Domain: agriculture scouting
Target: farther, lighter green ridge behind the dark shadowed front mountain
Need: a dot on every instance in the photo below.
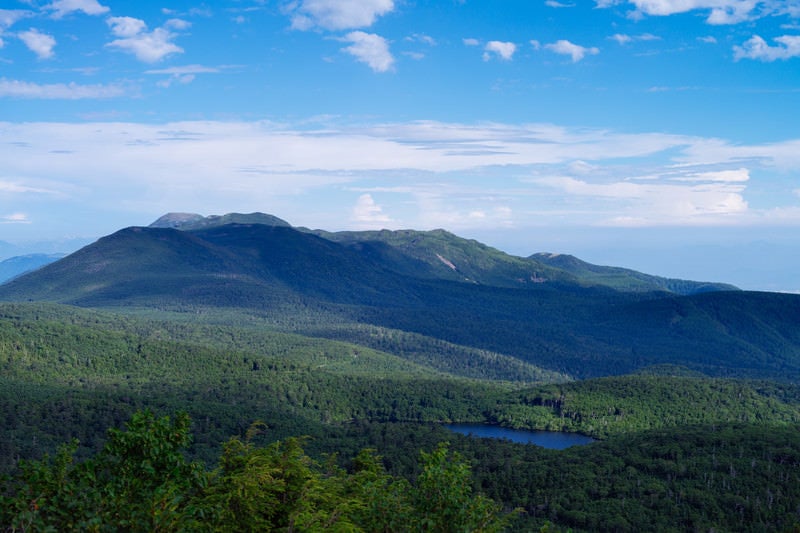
(440, 254)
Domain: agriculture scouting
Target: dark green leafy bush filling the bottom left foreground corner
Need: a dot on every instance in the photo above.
(140, 481)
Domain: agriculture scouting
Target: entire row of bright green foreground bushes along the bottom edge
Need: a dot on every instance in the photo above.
(140, 481)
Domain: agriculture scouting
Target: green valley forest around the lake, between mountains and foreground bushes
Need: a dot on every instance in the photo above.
(677, 451)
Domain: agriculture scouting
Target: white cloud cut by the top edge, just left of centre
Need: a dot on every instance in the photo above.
(337, 14)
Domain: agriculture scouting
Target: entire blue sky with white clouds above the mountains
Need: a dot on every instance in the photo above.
(651, 134)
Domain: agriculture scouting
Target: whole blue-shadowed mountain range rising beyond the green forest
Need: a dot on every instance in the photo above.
(556, 312)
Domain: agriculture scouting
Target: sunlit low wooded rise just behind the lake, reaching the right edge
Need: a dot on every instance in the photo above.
(608, 406)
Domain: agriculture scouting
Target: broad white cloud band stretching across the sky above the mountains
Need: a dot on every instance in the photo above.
(442, 174)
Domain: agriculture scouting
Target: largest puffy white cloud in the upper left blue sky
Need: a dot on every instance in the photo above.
(148, 47)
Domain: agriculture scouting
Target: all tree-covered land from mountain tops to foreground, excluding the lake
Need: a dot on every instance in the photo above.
(264, 377)
